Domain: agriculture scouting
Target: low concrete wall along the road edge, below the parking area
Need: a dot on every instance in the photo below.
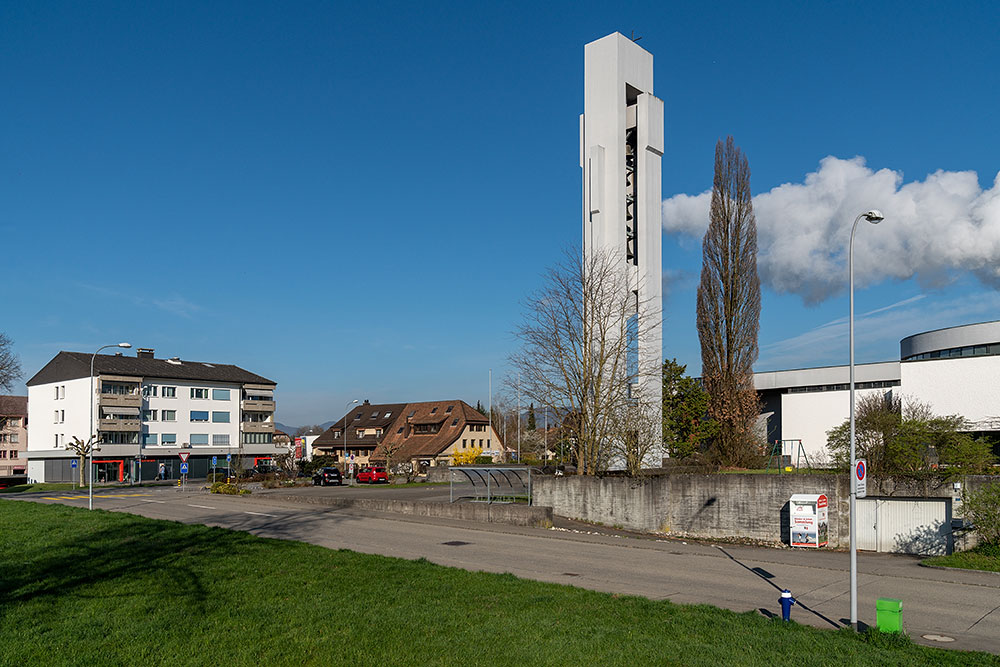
(512, 514)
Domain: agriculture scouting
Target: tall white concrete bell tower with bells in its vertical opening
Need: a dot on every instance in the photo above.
(621, 142)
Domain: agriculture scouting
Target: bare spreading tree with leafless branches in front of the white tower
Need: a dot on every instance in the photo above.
(578, 358)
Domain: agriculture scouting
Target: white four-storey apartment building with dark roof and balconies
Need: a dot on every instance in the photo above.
(144, 412)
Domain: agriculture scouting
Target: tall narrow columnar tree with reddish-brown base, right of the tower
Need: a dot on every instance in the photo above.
(729, 308)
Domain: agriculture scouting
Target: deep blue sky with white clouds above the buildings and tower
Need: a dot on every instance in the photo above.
(354, 199)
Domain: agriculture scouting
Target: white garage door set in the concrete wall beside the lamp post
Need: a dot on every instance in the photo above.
(905, 525)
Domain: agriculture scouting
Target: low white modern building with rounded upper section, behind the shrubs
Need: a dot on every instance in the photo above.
(955, 371)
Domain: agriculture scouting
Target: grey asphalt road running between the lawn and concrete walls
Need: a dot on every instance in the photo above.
(960, 606)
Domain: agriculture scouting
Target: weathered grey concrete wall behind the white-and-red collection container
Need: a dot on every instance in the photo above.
(722, 506)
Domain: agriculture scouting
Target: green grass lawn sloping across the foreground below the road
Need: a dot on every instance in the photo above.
(96, 588)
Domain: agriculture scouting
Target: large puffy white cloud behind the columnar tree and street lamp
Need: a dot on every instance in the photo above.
(933, 229)
